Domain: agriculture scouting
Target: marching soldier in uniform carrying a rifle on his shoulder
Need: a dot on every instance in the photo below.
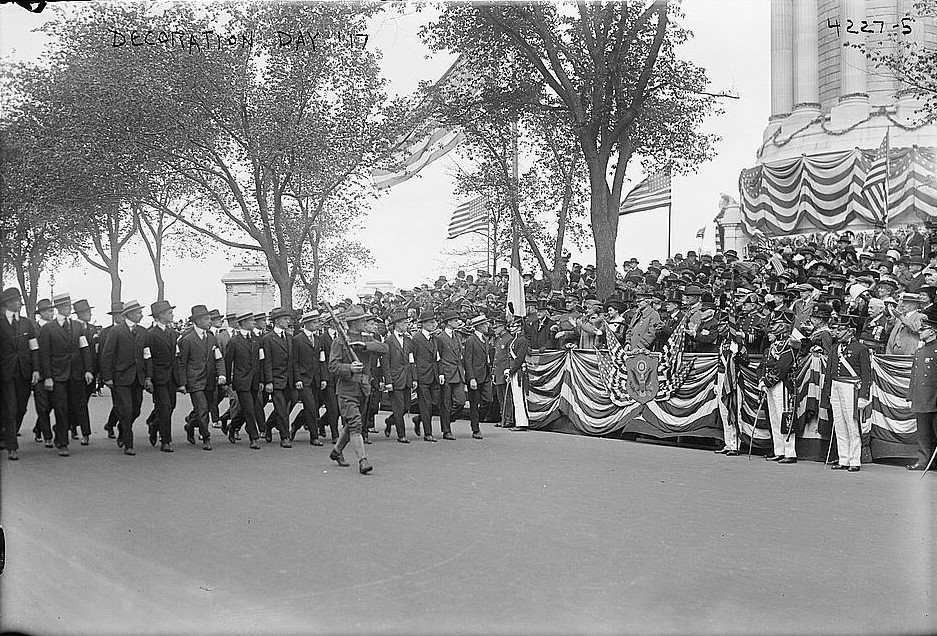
(354, 381)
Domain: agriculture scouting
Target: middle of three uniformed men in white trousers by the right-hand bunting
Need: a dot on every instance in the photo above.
(776, 380)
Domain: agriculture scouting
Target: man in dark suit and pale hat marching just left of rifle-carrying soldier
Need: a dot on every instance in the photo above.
(307, 376)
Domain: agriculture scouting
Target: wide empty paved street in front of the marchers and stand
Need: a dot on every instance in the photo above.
(519, 533)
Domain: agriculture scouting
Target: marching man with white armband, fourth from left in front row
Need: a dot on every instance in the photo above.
(162, 373)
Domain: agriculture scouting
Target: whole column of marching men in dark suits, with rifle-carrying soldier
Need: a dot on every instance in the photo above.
(61, 358)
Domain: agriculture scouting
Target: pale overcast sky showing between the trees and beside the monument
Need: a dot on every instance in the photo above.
(406, 230)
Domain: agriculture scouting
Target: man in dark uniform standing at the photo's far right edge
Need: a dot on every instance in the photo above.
(922, 390)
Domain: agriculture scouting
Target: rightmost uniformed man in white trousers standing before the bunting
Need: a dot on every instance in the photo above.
(851, 370)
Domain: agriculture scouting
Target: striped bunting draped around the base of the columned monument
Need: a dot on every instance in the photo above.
(825, 192)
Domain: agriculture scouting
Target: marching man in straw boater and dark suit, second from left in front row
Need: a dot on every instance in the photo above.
(66, 368)
